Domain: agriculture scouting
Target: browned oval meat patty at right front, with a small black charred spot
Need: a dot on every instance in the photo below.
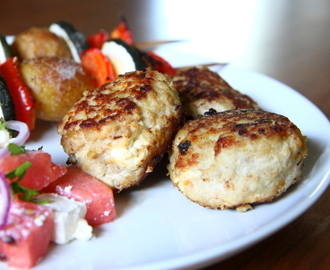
(236, 158)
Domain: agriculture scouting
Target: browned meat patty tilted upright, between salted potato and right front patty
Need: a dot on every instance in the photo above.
(119, 131)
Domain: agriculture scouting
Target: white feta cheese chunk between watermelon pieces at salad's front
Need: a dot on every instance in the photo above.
(68, 218)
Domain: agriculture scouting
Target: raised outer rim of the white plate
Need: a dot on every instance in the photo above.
(216, 254)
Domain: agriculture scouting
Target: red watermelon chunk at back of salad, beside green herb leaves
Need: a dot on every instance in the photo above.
(42, 171)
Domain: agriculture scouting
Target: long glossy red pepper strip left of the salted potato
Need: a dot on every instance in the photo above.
(23, 100)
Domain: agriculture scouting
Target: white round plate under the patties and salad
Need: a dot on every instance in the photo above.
(158, 228)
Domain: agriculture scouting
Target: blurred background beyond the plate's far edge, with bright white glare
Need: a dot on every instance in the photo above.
(287, 40)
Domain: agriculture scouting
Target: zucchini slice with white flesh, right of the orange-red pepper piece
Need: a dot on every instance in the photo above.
(124, 57)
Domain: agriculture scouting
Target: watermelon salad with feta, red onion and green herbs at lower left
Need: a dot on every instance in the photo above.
(41, 202)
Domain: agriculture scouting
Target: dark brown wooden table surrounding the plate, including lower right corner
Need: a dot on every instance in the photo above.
(286, 40)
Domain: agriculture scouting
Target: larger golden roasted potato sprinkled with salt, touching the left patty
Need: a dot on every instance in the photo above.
(56, 84)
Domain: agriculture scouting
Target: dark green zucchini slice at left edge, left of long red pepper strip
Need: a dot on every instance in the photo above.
(7, 111)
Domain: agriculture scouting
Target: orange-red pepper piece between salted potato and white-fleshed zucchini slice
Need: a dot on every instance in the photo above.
(98, 65)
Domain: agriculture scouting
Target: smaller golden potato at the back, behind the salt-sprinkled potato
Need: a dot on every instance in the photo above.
(39, 42)
